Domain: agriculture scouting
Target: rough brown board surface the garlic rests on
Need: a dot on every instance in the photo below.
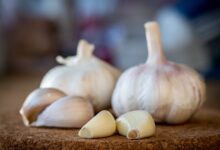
(201, 132)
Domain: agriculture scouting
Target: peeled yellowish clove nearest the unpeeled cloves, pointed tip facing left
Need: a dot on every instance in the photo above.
(102, 125)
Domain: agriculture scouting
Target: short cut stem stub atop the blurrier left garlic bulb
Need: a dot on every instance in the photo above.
(84, 49)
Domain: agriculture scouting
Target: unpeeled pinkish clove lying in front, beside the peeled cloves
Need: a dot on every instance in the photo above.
(67, 112)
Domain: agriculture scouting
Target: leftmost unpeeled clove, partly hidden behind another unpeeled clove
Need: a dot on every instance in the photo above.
(37, 101)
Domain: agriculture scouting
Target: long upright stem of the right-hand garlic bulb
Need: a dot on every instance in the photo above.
(155, 51)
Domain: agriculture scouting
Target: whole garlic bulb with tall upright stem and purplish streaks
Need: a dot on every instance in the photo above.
(170, 92)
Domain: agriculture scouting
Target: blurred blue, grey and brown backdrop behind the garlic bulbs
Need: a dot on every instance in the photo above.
(34, 32)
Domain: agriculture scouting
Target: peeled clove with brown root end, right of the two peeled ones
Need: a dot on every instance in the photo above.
(136, 124)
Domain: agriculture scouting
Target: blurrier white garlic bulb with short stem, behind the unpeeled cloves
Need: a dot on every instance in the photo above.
(84, 75)
